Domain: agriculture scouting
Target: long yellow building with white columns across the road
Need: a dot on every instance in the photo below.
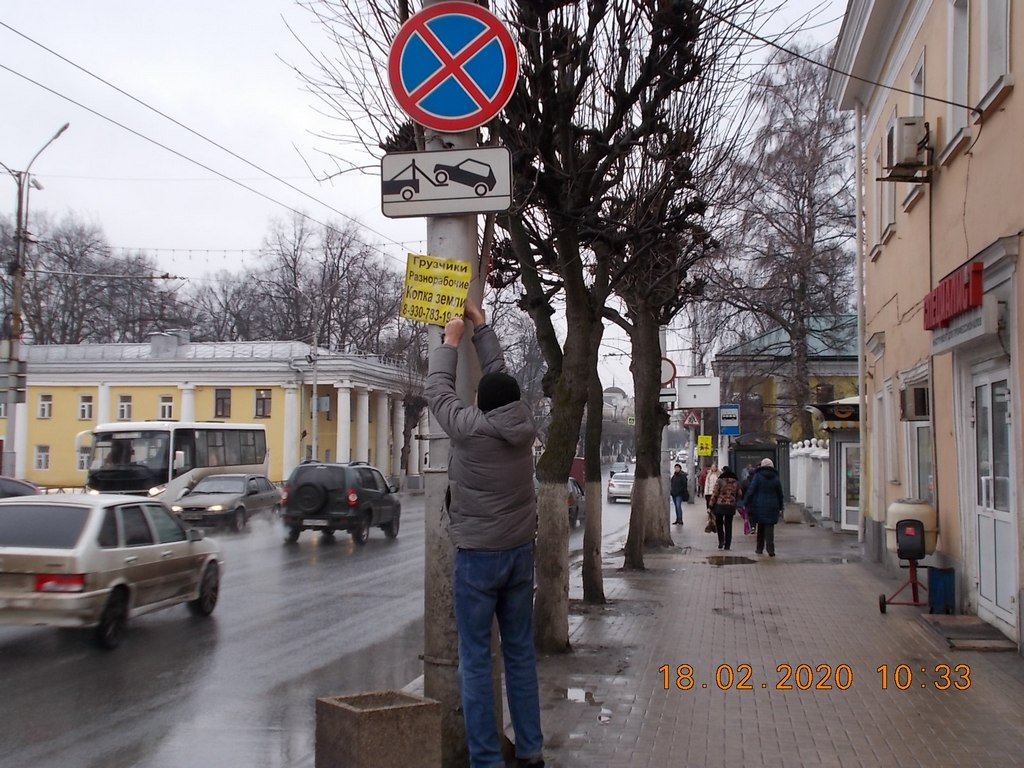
(361, 414)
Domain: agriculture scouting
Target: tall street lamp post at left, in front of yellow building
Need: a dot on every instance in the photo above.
(16, 371)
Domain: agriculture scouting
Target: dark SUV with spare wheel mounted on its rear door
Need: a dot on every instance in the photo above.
(339, 497)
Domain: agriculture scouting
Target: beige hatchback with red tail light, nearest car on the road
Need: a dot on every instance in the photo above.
(99, 561)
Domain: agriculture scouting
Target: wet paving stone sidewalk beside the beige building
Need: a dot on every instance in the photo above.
(743, 628)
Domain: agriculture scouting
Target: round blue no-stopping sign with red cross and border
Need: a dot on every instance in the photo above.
(453, 67)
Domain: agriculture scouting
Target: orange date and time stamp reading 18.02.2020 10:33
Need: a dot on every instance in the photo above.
(821, 677)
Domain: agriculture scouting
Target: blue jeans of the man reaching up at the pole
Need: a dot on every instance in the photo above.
(490, 584)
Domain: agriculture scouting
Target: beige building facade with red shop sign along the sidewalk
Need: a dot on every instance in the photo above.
(942, 181)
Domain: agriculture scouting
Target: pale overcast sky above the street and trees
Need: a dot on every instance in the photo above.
(217, 66)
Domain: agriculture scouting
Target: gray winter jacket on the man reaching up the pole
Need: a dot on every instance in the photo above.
(491, 461)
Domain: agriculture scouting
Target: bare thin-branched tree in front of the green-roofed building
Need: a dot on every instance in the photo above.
(788, 262)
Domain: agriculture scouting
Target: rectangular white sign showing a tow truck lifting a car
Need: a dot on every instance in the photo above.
(450, 182)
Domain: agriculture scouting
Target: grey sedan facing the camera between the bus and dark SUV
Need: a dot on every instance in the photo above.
(233, 500)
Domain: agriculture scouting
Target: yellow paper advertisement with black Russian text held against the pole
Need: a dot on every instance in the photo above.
(436, 289)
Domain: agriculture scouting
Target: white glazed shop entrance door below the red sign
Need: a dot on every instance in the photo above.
(995, 490)
